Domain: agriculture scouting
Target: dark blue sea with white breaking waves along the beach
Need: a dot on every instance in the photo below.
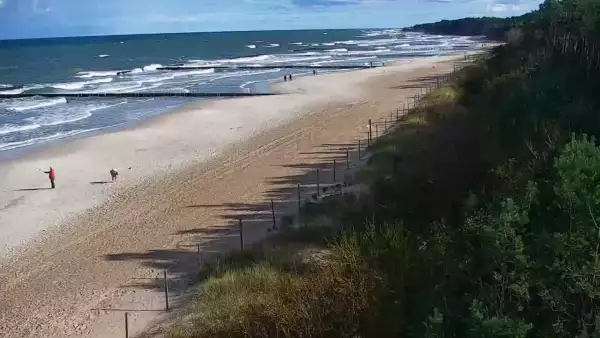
(132, 64)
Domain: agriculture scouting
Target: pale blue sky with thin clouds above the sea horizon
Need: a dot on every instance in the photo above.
(44, 18)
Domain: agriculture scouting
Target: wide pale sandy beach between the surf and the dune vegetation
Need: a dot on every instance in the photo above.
(76, 257)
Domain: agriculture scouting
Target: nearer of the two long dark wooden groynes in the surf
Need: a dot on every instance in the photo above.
(131, 95)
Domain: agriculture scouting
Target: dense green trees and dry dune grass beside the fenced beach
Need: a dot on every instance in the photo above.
(483, 217)
